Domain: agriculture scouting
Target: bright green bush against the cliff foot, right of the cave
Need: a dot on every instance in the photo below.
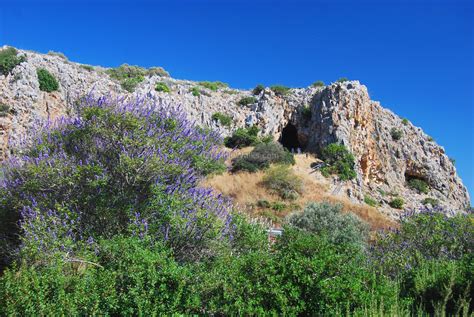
(339, 161)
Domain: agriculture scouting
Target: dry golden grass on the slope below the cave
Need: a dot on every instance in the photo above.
(246, 190)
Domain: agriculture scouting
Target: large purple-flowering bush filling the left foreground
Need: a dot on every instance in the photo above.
(116, 164)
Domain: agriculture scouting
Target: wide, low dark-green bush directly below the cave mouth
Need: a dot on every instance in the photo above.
(262, 156)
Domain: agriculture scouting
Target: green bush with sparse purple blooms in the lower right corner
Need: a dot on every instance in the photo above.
(431, 254)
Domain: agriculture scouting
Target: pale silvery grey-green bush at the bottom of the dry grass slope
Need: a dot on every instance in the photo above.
(328, 220)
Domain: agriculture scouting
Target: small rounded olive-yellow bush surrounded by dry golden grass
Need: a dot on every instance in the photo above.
(281, 180)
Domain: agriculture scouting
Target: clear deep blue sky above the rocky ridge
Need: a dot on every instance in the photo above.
(416, 57)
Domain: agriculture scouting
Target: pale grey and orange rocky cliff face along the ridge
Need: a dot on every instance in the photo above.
(340, 112)
